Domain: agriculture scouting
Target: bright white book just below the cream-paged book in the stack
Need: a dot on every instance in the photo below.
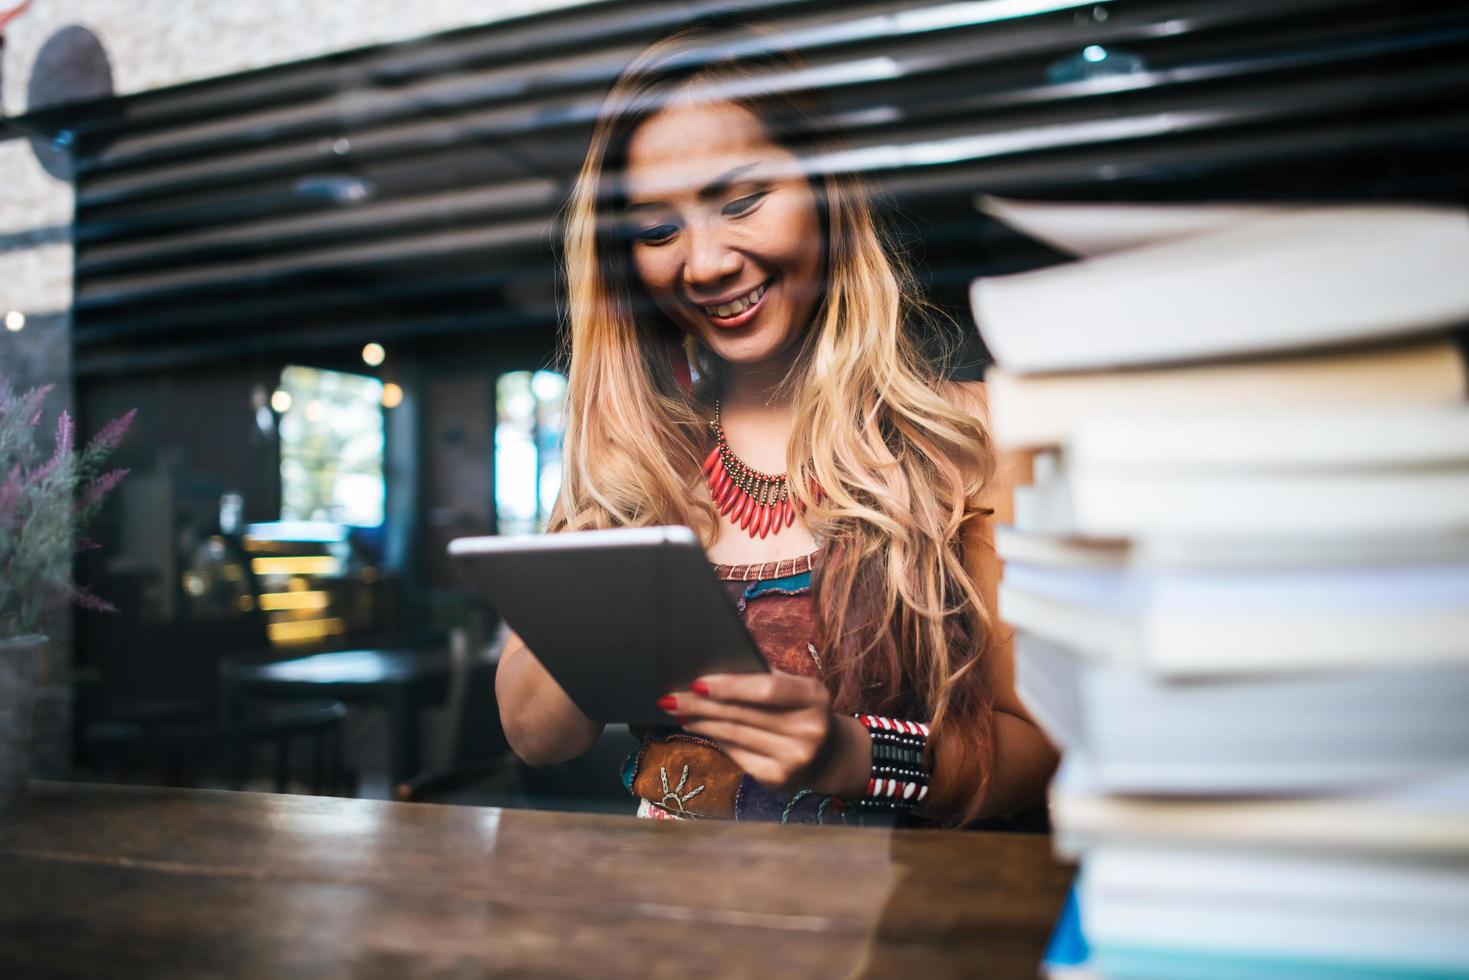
(1304, 474)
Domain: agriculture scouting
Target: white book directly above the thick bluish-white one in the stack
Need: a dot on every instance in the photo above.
(1211, 622)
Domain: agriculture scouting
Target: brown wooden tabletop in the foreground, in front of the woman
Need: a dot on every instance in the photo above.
(146, 882)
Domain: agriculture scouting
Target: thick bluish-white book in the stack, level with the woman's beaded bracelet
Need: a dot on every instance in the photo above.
(1285, 734)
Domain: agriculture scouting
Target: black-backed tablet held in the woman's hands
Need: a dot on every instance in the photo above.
(619, 618)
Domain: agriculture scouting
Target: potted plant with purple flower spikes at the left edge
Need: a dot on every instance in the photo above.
(45, 505)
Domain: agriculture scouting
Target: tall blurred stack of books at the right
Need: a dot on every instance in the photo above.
(1241, 581)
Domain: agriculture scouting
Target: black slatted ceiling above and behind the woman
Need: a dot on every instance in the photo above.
(409, 190)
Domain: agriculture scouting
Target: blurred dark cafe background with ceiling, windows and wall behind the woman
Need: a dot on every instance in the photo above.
(315, 248)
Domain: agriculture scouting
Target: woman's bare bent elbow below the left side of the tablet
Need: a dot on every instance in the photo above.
(541, 724)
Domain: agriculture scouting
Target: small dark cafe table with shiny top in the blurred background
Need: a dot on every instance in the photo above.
(403, 681)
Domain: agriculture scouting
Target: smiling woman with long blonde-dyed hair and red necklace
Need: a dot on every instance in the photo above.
(838, 483)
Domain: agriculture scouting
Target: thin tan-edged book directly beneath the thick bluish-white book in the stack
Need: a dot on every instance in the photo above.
(1426, 816)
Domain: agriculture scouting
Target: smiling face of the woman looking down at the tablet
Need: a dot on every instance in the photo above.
(725, 228)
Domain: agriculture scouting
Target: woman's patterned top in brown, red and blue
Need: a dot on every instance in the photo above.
(681, 777)
